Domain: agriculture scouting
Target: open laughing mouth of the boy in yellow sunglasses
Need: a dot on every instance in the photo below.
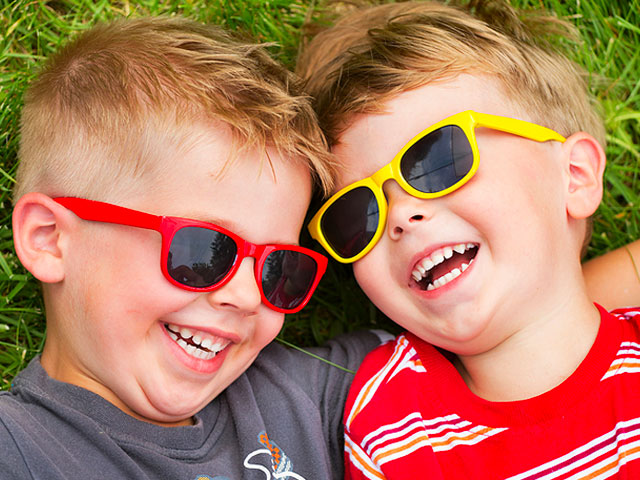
(444, 265)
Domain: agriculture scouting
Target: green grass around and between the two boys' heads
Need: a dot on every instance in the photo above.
(31, 30)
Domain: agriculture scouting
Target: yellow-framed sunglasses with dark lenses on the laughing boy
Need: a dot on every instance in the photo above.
(435, 162)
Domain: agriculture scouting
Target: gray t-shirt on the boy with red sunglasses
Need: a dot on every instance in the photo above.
(281, 419)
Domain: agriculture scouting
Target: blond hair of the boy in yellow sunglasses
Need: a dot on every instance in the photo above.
(375, 53)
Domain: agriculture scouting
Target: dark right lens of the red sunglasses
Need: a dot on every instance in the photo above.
(287, 278)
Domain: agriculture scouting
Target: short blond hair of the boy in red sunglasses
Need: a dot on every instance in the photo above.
(91, 116)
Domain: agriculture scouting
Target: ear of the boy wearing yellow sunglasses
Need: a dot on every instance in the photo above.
(585, 162)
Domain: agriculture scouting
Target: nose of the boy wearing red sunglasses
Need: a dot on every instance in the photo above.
(241, 294)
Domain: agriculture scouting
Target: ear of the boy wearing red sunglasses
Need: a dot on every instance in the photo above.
(38, 222)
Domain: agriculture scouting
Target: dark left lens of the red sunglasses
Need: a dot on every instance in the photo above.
(199, 257)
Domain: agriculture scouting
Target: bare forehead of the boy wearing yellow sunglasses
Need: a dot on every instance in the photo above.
(372, 140)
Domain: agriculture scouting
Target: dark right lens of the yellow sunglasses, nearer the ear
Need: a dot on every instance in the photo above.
(438, 160)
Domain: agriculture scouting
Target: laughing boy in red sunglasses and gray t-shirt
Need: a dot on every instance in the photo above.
(165, 171)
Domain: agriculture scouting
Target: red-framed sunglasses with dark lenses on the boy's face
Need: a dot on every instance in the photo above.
(200, 256)
